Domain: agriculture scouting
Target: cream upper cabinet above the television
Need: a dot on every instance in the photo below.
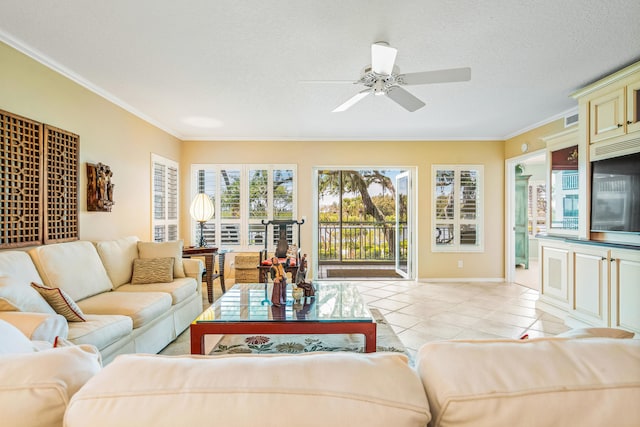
(616, 113)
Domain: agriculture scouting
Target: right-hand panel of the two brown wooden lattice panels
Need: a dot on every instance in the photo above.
(62, 179)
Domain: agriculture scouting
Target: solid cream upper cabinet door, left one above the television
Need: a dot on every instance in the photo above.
(607, 117)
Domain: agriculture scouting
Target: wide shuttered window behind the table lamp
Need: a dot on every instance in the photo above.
(244, 196)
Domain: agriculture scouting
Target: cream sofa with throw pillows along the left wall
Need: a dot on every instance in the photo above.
(119, 317)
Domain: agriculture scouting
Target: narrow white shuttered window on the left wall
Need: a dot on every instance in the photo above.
(164, 191)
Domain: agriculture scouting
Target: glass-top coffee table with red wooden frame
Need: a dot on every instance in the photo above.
(245, 309)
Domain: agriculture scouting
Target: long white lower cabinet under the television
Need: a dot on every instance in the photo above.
(590, 284)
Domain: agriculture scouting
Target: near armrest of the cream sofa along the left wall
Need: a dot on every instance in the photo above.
(38, 326)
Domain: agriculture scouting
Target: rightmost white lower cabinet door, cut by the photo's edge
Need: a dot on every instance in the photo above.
(625, 290)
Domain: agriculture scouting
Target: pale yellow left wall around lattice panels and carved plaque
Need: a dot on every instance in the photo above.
(108, 134)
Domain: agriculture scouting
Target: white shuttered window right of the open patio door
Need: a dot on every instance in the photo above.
(457, 208)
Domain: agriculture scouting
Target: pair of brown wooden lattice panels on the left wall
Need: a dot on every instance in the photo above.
(38, 183)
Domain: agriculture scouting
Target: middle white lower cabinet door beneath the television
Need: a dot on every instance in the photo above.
(590, 286)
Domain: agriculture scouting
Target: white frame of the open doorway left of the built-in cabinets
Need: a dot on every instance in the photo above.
(510, 211)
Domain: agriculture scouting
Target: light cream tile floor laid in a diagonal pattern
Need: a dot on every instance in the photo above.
(420, 312)
